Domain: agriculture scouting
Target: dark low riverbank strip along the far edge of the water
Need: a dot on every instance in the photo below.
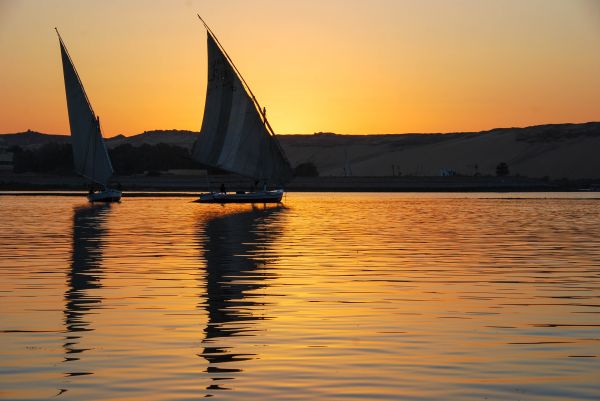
(186, 183)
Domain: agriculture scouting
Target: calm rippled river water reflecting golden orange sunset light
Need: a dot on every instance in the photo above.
(334, 296)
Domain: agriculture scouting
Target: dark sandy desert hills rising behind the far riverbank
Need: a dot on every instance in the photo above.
(555, 151)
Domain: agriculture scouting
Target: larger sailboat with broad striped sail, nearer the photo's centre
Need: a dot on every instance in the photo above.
(236, 136)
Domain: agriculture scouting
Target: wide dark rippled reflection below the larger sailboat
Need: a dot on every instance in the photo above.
(234, 246)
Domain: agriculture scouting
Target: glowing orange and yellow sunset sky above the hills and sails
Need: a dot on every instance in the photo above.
(346, 66)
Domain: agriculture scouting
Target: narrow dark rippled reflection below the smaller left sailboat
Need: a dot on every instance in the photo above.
(83, 277)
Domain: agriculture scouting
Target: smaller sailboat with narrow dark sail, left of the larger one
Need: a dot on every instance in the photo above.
(90, 155)
